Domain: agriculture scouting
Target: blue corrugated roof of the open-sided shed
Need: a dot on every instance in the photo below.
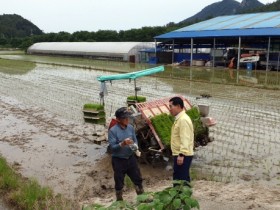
(256, 24)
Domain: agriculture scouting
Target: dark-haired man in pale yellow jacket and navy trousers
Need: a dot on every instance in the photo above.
(182, 140)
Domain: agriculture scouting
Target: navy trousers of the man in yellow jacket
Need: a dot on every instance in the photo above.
(182, 172)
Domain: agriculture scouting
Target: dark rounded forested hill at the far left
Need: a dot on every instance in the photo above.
(16, 26)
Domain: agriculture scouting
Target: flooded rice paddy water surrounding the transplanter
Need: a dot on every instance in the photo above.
(42, 129)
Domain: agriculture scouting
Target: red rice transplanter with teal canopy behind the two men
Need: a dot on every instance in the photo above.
(150, 144)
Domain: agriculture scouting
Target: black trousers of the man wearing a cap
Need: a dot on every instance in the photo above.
(128, 166)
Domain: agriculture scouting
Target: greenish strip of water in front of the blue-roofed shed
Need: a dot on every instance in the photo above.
(244, 77)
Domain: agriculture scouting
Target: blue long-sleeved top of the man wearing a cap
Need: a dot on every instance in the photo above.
(116, 135)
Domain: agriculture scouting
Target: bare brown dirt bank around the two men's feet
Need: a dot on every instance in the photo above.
(211, 195)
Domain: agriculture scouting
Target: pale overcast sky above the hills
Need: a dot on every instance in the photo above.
(93, 15)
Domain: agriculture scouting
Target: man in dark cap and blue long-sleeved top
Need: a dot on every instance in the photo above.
(124, 161)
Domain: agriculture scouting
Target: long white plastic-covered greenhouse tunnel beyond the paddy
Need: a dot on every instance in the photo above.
(135, 52)
